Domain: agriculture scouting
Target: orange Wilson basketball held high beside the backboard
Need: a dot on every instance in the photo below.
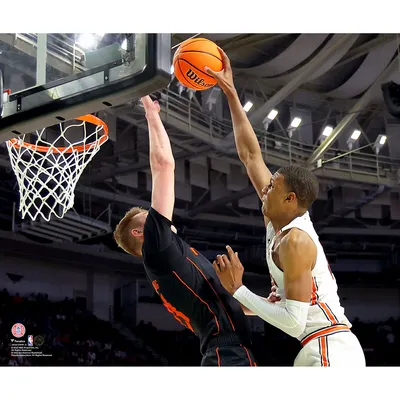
(190, 59)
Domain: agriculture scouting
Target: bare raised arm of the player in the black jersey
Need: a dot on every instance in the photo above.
(162, 163)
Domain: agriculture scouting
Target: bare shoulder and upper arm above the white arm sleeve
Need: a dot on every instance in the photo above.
(297, 255)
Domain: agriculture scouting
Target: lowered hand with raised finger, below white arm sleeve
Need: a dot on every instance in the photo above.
(229, 270)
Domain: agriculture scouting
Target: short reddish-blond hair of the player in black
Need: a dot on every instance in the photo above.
(122, 234)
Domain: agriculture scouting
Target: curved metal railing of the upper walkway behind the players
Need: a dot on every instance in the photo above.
(277, 144)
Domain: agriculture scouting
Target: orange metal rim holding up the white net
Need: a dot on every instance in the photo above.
(44, 149)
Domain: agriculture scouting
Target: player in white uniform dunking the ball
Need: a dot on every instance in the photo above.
(308, 305)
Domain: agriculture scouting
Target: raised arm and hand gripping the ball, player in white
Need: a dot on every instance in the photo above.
(246, 140)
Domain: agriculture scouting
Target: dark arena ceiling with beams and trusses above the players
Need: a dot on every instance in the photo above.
(326, 79)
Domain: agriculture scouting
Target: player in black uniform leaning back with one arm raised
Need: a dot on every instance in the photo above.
(182, 277)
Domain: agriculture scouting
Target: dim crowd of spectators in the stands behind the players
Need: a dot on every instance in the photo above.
(73, 336)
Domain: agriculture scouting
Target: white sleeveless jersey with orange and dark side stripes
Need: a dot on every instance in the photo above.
(325, 309)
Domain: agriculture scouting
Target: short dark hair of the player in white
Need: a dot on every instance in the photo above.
(302, 182)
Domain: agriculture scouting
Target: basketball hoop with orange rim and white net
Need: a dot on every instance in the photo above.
(46, 173)
